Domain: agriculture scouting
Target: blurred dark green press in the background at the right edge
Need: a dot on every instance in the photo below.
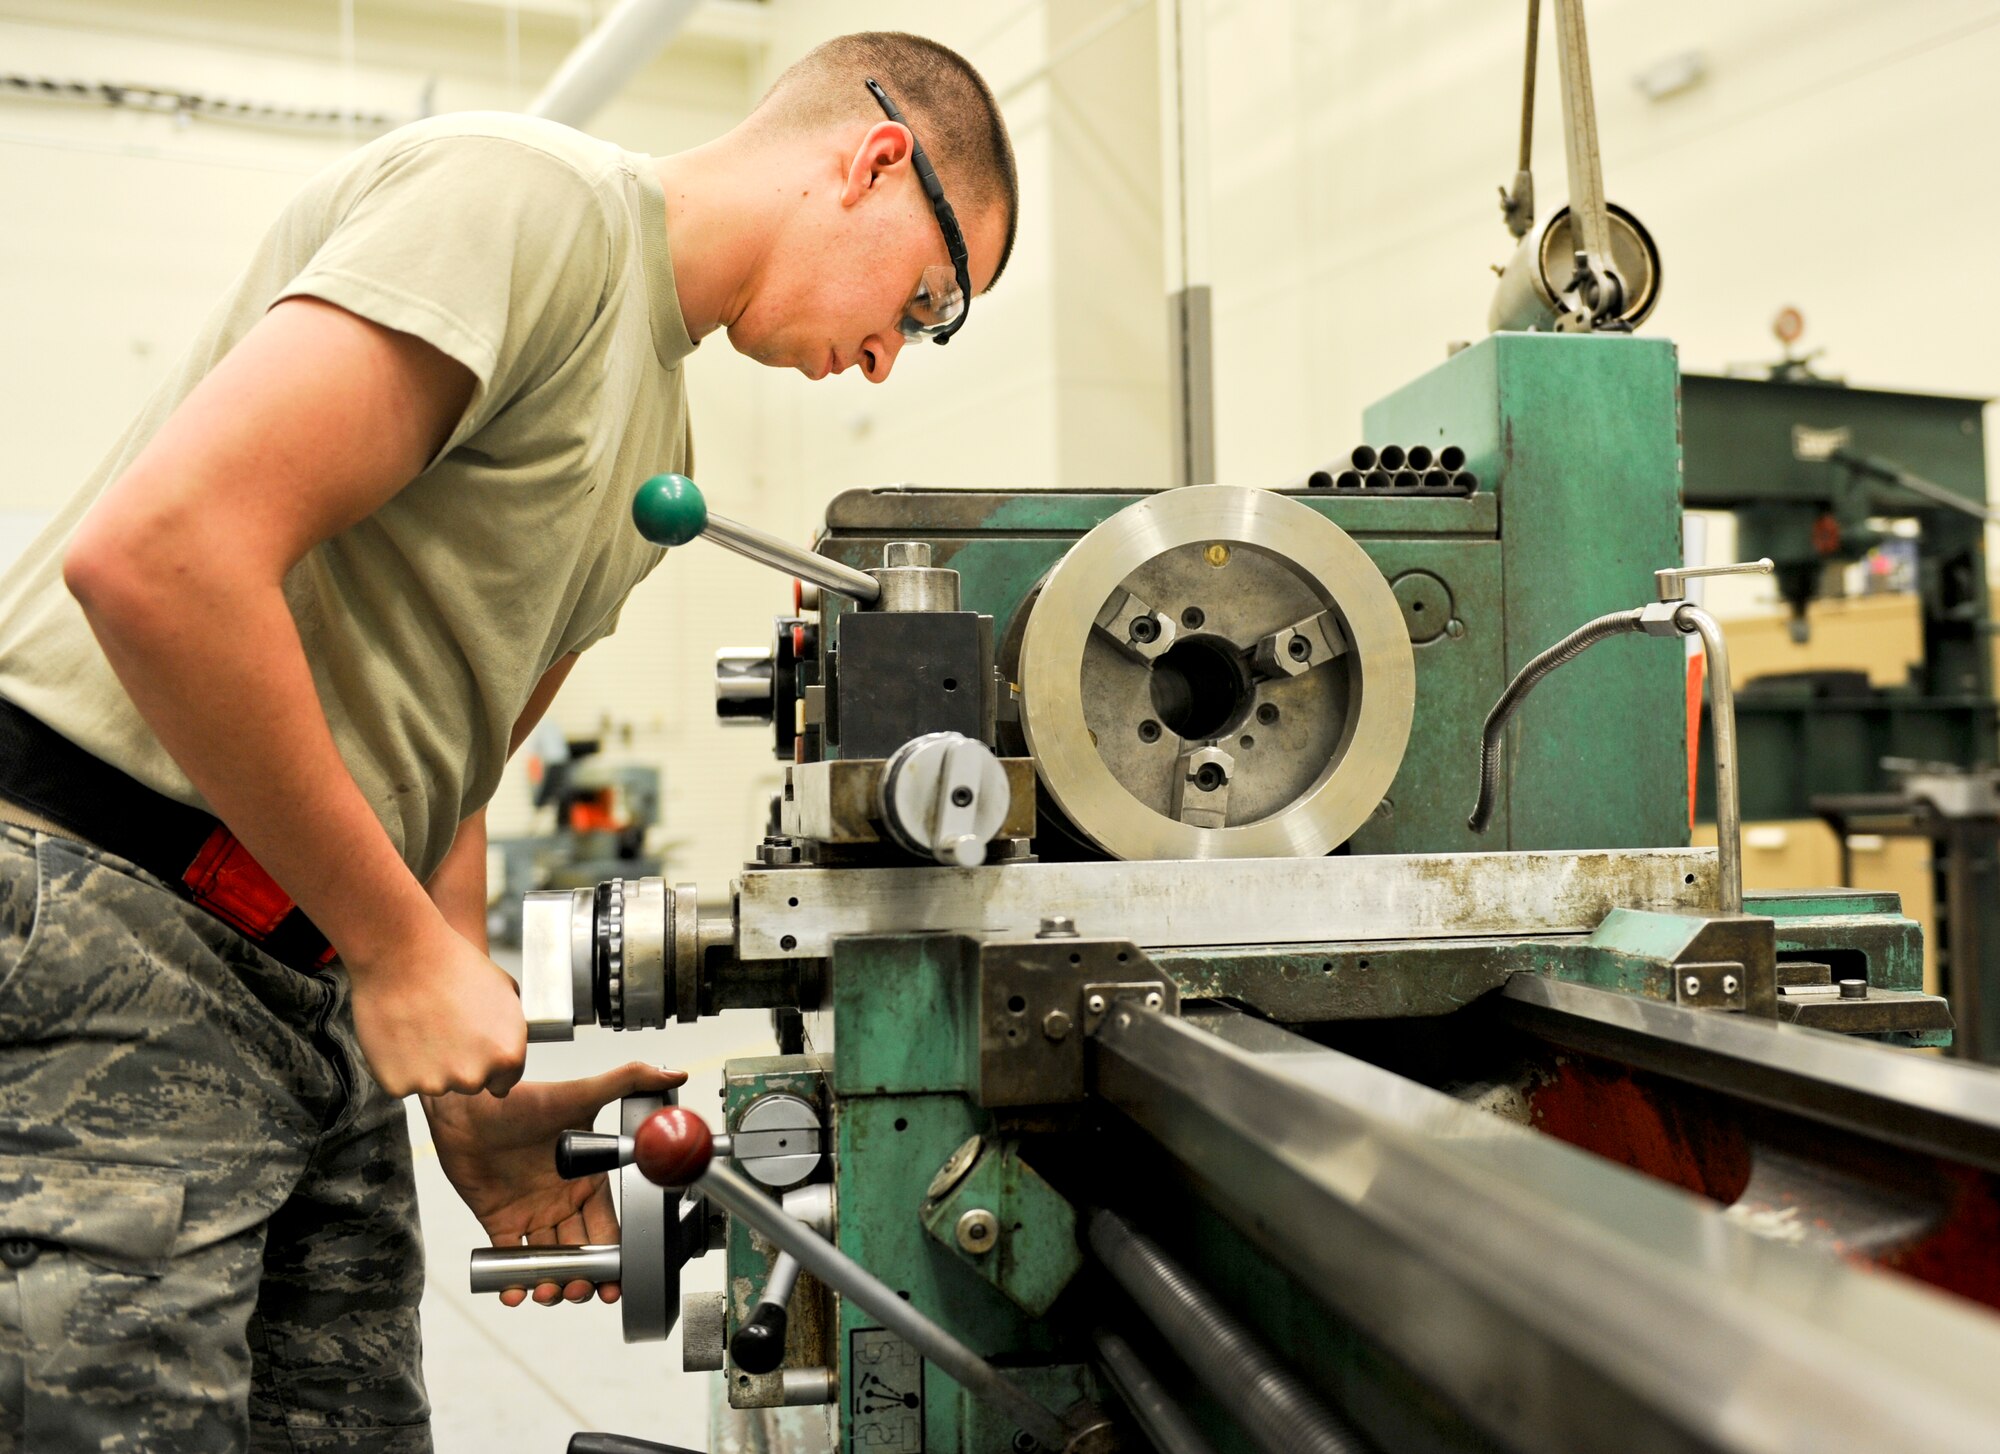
(1813, 473)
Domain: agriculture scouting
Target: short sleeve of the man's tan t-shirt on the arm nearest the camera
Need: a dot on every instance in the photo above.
(491, 251)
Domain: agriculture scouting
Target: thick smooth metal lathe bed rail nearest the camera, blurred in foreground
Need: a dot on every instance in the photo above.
(1617, 1313)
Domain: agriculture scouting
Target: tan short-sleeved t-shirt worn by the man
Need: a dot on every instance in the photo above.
(537, 259)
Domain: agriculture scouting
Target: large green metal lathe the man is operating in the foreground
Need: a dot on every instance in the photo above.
(1165, 1059)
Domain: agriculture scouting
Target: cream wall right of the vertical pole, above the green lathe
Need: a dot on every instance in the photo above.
(1841, 157)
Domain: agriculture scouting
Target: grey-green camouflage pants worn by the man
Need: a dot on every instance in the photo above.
(207, 1205)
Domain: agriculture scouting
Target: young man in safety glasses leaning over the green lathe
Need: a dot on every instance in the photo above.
(261, 677)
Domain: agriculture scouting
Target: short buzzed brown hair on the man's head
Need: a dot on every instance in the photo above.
(949, 105)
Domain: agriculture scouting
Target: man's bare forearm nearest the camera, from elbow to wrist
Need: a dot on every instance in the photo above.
(245, 723)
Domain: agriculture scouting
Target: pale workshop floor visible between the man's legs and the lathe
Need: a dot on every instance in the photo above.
(521, 1381)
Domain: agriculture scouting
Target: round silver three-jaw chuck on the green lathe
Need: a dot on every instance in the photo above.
(1217, 673)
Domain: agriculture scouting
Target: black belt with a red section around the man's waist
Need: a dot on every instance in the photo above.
(55, 779)
